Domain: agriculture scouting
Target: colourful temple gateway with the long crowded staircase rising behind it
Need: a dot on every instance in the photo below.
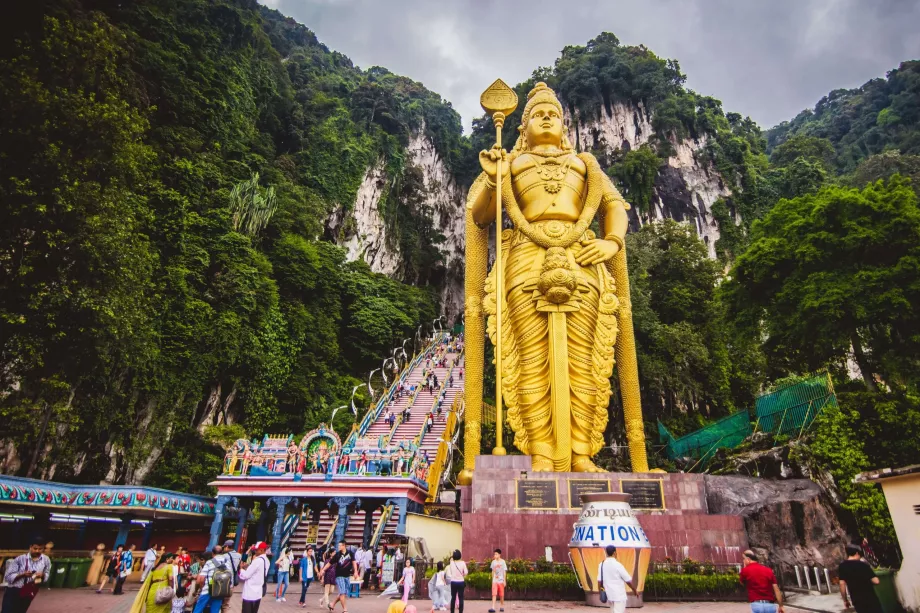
(319, 488)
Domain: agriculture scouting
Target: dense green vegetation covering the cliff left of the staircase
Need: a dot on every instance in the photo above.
(168, 167)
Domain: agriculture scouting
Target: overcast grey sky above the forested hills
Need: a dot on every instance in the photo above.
(765, 58)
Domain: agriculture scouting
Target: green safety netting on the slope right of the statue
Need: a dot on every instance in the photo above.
(785, 411)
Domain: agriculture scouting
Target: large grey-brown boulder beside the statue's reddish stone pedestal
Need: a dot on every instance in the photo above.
(788, 522)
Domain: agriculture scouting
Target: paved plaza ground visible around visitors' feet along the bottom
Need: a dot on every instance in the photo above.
(87, 601)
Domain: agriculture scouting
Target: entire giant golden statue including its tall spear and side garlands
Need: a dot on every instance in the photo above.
(564, 294)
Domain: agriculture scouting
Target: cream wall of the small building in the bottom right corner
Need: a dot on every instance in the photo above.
(903, 495)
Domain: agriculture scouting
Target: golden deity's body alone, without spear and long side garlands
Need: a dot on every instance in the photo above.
(559, 309)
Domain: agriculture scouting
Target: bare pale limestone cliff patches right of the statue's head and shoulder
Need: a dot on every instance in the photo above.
(686, 187)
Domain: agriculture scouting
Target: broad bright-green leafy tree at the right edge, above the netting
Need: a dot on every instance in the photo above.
(835, 273)
